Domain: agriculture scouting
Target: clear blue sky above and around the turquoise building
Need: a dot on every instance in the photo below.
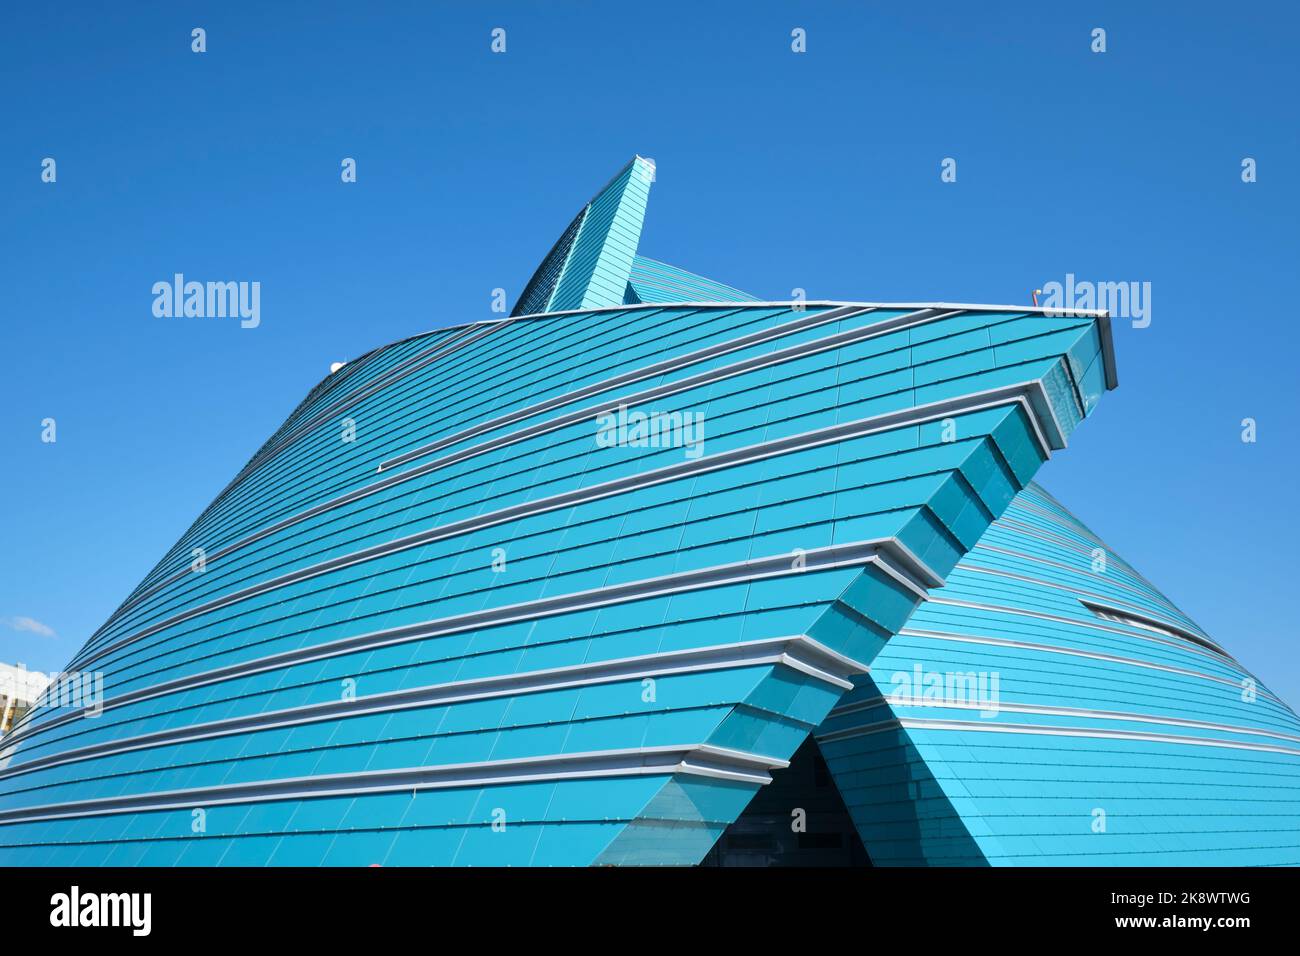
(775, 171)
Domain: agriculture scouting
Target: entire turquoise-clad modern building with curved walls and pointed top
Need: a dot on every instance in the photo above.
(652, 572)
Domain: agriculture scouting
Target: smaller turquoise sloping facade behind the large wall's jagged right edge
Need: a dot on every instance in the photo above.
(1129, 739)
